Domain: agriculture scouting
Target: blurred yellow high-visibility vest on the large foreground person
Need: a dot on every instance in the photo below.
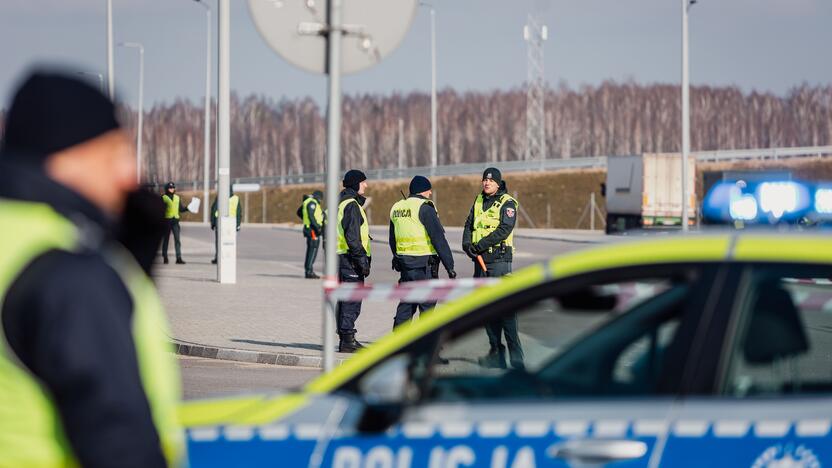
(31, 433)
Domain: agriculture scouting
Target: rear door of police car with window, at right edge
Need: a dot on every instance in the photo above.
(765, 394)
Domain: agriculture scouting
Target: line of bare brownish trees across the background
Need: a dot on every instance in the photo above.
(288, 136)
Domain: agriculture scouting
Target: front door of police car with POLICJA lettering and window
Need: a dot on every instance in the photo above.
(603, 353)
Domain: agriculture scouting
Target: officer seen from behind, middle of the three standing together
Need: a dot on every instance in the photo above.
(417, 240)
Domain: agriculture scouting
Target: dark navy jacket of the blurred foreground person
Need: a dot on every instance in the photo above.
(67, 317)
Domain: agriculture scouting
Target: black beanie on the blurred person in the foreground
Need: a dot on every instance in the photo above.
(51, 112)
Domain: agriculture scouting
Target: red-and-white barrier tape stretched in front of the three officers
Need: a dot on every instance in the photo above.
(415, 291)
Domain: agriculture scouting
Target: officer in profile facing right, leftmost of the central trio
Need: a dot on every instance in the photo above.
(353, 253)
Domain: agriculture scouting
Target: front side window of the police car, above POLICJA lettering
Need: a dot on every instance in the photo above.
(607, 338)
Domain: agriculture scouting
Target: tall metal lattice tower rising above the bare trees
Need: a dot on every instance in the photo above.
(535, 35)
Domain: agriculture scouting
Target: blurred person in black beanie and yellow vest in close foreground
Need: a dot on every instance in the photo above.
(87, 376)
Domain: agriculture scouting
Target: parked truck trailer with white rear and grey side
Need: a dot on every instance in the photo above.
(646, 191)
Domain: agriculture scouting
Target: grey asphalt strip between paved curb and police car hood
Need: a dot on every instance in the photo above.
(205, 378)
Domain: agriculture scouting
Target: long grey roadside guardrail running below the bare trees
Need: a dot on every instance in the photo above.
(518, 166)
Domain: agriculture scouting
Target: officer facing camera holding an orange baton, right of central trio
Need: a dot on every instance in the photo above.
(489, 235)
